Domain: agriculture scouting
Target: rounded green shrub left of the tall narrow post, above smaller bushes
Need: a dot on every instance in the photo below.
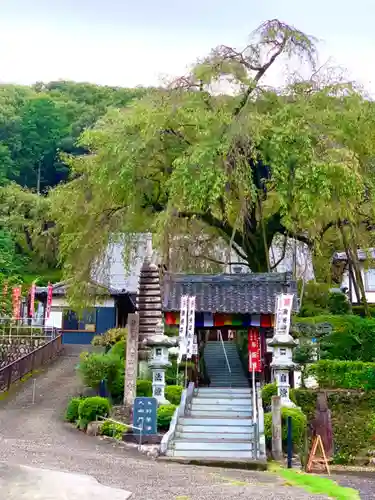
(95, 367)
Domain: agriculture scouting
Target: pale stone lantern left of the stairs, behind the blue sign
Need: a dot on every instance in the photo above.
(159, 361)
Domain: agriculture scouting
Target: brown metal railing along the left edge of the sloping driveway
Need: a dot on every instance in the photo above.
(16, 370)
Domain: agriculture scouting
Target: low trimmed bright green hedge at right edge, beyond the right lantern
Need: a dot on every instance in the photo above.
(344, 374)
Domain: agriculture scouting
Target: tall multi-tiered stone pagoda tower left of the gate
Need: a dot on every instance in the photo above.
(149, 308)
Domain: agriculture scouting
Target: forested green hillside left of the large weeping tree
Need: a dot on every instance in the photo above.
(38, 125)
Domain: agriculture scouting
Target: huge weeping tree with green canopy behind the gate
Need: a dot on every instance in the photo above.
(240, 167)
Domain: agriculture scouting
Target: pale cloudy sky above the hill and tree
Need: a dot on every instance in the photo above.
(129, 43)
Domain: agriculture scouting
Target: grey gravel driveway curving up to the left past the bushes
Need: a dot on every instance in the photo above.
(34, 434)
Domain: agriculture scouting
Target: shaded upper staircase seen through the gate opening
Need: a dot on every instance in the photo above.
(217, 367)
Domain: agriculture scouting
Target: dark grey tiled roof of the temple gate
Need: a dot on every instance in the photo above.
(229, 293)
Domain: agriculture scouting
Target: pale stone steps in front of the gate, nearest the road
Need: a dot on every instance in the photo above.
(218, 425)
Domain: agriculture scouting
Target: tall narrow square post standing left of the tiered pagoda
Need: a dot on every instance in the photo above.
(131, 363)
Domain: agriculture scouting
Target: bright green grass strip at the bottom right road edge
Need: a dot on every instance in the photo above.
(316, 484)
